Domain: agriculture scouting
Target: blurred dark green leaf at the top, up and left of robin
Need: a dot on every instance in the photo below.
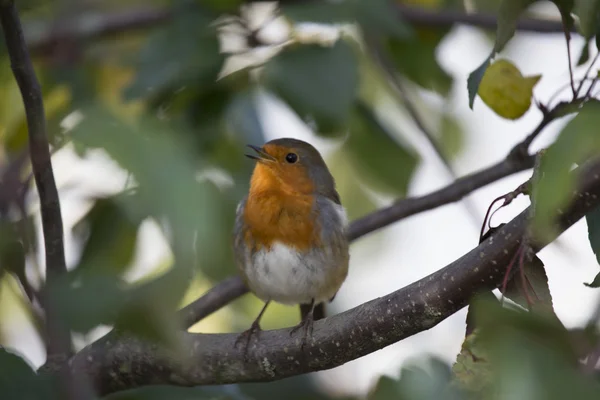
(184, 53)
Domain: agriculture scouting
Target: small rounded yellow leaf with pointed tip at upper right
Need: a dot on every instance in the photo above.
(506, 91)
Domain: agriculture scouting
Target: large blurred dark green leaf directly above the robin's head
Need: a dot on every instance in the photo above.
(318, 82)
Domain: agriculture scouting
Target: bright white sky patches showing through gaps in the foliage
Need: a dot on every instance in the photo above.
(414, 247)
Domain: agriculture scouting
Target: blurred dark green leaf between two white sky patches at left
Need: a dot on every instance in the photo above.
(112, 236)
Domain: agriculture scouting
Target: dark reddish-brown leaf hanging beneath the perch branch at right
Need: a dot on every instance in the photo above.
(536, 284)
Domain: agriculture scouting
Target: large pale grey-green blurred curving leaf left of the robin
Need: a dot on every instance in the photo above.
(165, 172)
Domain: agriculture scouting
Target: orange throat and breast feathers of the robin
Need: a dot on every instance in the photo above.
(280, 211)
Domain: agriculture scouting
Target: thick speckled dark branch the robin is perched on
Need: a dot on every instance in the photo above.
(116, 363)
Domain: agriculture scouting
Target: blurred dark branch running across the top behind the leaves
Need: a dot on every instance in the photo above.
(43, 35)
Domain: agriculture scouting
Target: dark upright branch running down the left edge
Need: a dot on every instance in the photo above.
(59, 341)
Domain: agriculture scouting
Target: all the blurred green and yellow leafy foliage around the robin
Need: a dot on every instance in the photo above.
(157, 101)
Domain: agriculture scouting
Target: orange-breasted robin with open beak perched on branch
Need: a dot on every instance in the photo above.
(290, 239)
